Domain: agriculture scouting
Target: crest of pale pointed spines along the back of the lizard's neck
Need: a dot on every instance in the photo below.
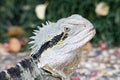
(39, 35)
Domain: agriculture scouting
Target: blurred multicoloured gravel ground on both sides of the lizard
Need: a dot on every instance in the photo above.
(94, 65)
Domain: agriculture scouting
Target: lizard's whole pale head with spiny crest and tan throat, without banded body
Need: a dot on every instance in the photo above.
(59, 50)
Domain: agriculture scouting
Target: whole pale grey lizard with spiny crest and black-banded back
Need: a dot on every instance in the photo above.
(56, 50)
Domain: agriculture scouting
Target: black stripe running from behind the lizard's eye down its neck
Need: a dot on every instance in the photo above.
(49, 44)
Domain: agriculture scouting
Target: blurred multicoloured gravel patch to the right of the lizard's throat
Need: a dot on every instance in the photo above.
(99, 65)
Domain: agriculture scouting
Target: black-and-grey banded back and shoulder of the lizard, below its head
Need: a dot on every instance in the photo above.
(26, 70)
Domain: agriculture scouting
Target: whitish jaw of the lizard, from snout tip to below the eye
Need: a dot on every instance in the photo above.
(77, 41)
